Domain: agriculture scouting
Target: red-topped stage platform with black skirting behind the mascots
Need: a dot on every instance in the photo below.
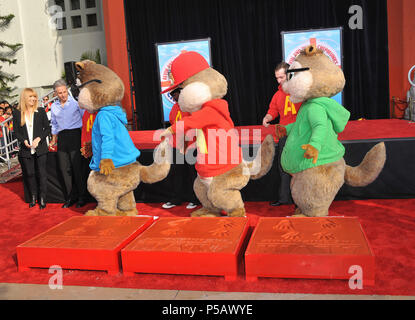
(395, 181)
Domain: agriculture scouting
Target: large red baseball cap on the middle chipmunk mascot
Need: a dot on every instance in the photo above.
(187, 64)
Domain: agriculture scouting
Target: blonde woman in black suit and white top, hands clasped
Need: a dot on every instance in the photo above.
(31, 127)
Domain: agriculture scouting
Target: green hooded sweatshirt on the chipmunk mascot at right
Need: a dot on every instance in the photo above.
(318, 123)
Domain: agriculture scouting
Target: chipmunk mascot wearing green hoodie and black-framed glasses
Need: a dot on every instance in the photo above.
(313, 155)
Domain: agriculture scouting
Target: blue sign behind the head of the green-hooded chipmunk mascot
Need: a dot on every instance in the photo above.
(328, 40)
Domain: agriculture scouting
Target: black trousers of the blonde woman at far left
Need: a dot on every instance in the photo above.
(34, 170)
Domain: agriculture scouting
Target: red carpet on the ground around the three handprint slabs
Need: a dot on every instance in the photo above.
(389, 226)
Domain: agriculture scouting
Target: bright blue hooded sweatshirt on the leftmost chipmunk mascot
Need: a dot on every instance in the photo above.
(111, 140)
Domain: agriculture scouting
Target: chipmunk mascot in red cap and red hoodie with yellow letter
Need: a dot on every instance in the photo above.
(222, 172)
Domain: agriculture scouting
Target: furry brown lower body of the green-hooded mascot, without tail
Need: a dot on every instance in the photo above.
(314, 189)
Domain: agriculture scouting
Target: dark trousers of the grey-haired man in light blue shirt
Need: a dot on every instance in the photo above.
(71, 164)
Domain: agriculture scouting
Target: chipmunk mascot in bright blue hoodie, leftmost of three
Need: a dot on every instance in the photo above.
(115, 171)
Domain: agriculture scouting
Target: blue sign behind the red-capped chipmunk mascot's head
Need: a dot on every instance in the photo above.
(166, 53)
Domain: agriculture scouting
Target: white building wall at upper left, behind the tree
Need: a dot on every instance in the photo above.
(41, 60)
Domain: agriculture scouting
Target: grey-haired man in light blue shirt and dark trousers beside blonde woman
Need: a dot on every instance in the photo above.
(66, 121)
